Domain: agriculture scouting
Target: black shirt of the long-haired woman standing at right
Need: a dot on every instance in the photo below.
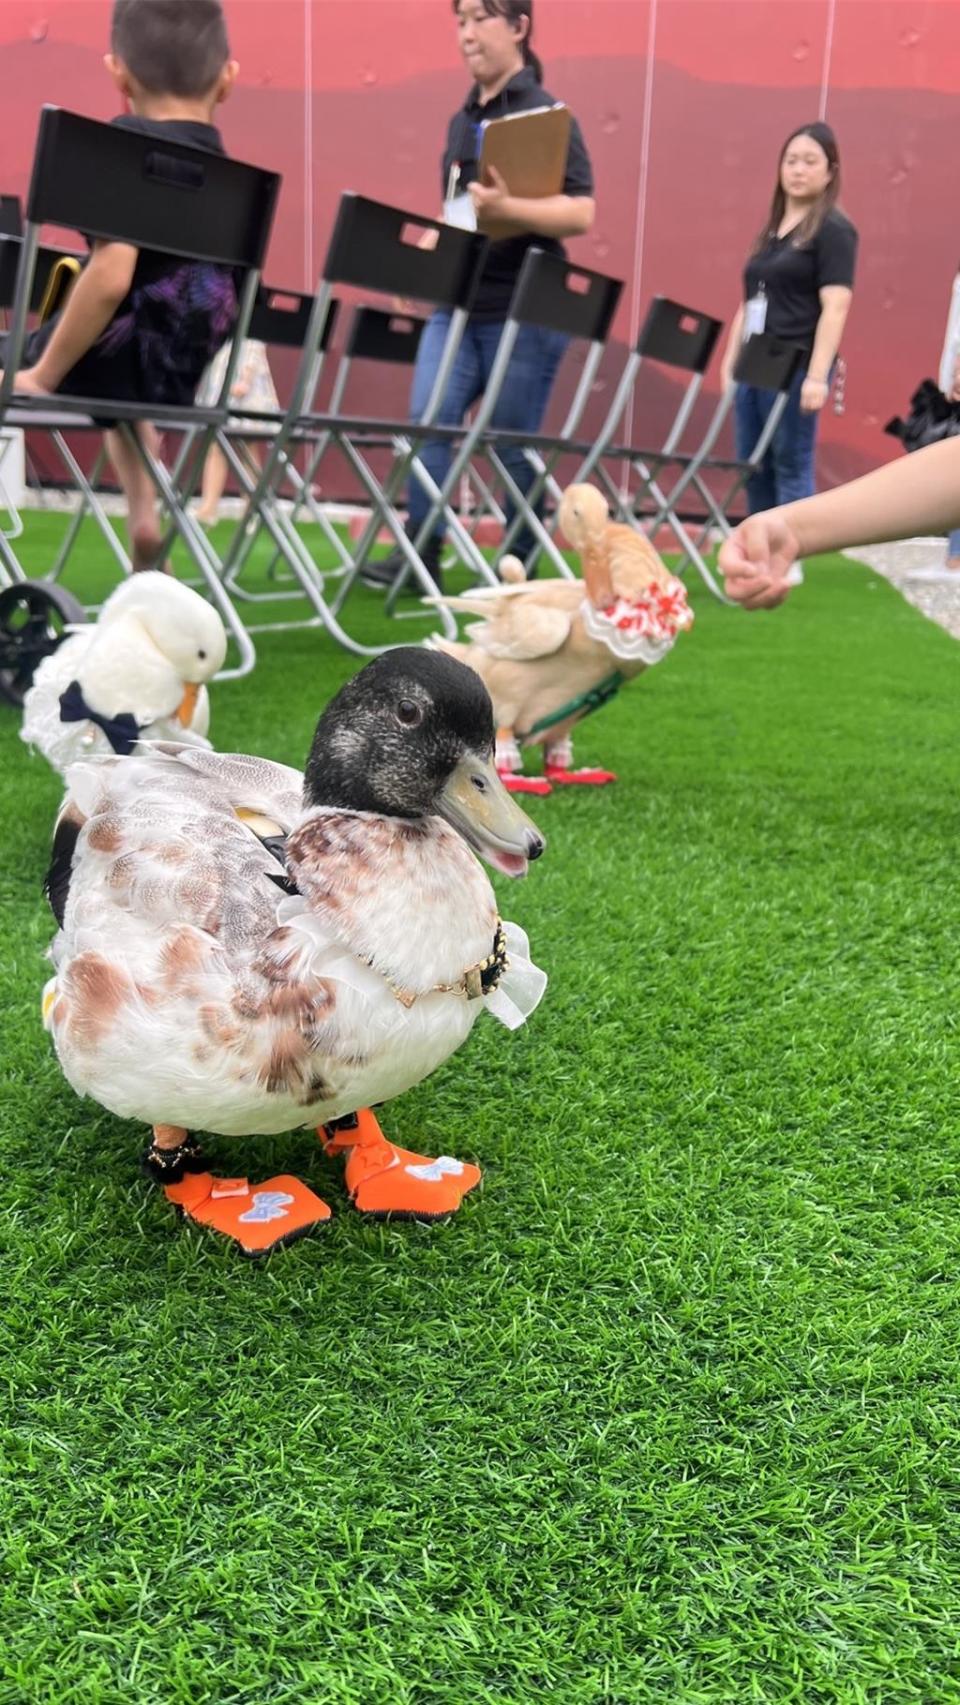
(794, 277)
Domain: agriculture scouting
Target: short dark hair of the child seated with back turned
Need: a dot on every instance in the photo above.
(171, 47)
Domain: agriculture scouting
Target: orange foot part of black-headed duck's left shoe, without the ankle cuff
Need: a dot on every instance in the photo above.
(257, 1217)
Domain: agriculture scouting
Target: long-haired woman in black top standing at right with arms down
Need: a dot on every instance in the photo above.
(799, 286)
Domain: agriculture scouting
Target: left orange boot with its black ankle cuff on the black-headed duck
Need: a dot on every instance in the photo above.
(258, 1218)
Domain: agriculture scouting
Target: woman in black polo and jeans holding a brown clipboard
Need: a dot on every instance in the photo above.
(495, 43)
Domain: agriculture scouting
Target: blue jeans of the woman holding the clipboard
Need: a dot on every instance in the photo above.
(519, 408)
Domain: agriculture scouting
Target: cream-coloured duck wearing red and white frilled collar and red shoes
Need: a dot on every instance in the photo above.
(553, 650)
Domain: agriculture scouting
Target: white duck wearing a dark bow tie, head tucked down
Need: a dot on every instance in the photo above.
(136, 674)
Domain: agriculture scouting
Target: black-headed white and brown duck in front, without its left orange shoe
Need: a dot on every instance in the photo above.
(194, 993)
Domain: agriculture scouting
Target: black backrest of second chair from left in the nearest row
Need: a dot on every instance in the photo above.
(376, 248)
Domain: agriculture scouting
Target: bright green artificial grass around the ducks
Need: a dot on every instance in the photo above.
(669, 1411)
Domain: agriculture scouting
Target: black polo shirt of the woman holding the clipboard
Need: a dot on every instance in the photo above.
(506, 260)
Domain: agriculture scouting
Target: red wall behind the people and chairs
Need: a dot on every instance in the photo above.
(685, 105)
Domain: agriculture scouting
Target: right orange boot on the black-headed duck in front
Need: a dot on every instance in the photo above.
(386, 1181)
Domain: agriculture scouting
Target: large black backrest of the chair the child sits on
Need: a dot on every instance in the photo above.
(124, 187)
